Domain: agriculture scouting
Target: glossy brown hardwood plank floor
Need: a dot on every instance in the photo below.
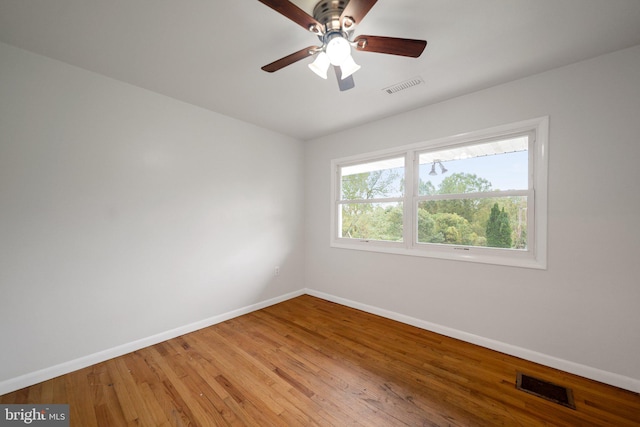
(308, 362)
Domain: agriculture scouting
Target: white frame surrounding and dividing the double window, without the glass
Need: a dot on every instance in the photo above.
(535, 256)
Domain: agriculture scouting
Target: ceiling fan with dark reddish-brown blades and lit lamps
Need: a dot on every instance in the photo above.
(333, 21)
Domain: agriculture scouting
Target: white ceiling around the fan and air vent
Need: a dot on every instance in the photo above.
(209, 52)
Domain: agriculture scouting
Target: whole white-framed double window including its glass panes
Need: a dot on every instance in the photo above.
(477, 197)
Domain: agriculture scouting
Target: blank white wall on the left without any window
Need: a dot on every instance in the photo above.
(125, 214)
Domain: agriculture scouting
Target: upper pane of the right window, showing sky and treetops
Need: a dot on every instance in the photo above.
(495, 165)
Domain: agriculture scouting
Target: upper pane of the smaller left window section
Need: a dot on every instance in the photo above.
(373, 180)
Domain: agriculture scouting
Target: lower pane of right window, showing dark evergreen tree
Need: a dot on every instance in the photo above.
(499, 222)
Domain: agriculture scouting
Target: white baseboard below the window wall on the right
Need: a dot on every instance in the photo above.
(595, 374)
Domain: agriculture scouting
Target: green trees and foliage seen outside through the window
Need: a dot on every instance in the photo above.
(470, 222)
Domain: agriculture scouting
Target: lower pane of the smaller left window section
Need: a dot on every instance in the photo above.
(372, 221)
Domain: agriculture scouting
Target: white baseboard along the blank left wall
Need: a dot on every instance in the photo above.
(36, 377)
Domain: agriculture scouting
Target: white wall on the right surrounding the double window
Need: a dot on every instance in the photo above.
(581, 314)
